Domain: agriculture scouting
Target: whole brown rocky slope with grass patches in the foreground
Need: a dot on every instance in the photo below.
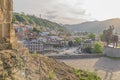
(15, 66)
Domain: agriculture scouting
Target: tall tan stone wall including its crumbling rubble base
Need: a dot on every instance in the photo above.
(7, 33)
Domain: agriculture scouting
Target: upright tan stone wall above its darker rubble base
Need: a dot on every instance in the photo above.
(6, 8)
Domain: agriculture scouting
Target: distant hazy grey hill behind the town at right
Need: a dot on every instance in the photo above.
(96, 26)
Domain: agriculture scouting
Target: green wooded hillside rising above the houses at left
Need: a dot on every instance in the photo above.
(41, 24)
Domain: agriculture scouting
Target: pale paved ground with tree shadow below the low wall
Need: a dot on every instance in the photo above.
(107, 69)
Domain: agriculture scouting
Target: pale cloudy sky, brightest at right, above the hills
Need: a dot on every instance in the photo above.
(70, 11)
